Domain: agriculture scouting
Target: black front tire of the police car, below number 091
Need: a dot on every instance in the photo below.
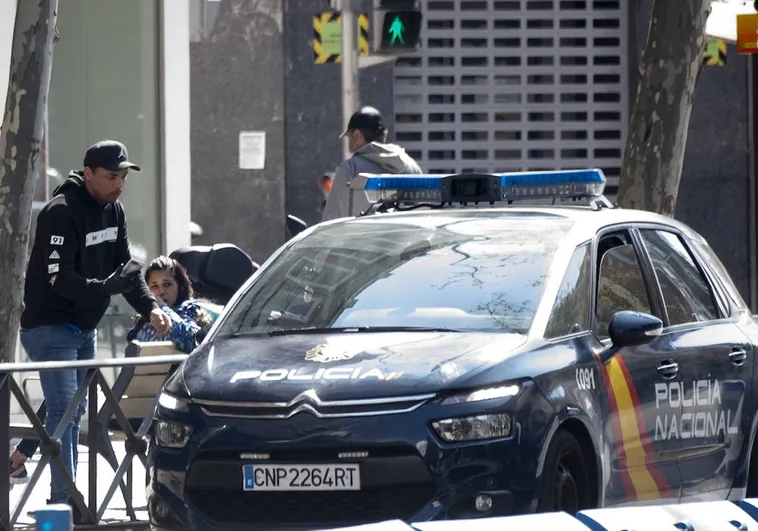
(565, 484)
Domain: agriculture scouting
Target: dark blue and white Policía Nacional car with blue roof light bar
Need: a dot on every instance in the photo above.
(455, 353)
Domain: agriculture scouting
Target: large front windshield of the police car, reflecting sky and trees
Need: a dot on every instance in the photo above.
(482, 272)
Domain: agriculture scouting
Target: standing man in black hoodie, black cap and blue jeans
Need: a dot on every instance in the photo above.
(76, 265)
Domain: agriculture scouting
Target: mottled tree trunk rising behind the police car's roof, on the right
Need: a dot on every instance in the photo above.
(670, 65)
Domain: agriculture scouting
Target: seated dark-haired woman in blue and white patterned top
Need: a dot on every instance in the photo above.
(170, 285)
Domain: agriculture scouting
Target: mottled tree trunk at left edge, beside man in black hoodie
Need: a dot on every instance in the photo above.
(20, 141)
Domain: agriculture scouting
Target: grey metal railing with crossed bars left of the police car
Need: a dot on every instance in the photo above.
(97, 439)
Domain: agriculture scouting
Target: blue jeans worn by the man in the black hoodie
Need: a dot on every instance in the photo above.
(61, 343)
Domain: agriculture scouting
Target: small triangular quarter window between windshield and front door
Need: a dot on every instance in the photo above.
(571, 310)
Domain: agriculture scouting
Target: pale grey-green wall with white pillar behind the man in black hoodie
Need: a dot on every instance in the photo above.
(120, 71)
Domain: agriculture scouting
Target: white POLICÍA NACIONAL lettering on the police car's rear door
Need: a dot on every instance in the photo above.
(693, 410)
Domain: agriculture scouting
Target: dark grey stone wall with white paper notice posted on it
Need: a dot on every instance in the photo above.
(253, 72)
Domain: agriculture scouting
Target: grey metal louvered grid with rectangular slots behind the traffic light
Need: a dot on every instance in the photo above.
(512, 85)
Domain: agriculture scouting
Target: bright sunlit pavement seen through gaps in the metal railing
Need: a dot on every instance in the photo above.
(116, 511)
